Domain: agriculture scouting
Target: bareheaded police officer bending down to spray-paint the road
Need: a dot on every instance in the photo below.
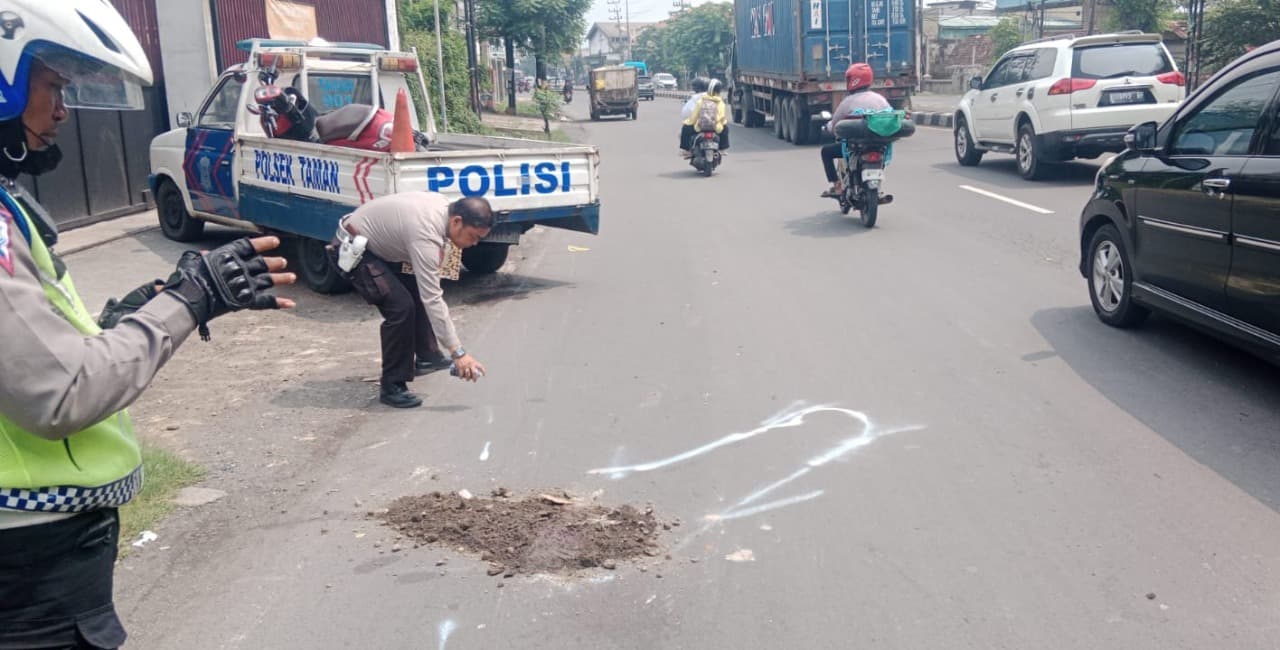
(412, 228)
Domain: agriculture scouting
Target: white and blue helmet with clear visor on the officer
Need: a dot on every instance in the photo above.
(86, 42)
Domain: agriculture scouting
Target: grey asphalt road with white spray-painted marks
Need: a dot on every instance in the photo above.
(943, 448)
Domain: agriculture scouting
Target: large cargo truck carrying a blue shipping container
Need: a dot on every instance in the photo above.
(790, 57)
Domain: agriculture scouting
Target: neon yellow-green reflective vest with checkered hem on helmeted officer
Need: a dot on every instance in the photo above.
(98, 468)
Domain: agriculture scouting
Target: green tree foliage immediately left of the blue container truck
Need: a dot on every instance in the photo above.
(693, 43)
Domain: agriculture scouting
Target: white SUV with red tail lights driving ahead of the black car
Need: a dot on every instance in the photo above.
(1059, 99)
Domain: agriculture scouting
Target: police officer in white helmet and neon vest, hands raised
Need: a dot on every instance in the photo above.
(68, 455)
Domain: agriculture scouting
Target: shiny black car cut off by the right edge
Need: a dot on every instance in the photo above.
(1187, 219)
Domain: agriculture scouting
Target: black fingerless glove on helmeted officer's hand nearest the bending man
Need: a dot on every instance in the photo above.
(228, 278)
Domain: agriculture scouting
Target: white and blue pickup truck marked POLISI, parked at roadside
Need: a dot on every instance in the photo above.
(222, 167)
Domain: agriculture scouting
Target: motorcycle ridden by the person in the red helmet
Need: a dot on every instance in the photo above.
(862, 170)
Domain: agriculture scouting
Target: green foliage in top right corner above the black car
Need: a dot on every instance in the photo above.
(1233, 28)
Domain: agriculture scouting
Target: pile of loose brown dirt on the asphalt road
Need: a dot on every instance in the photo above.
(545, 533)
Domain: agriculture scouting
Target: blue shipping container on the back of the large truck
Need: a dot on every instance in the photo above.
(817, 40)
